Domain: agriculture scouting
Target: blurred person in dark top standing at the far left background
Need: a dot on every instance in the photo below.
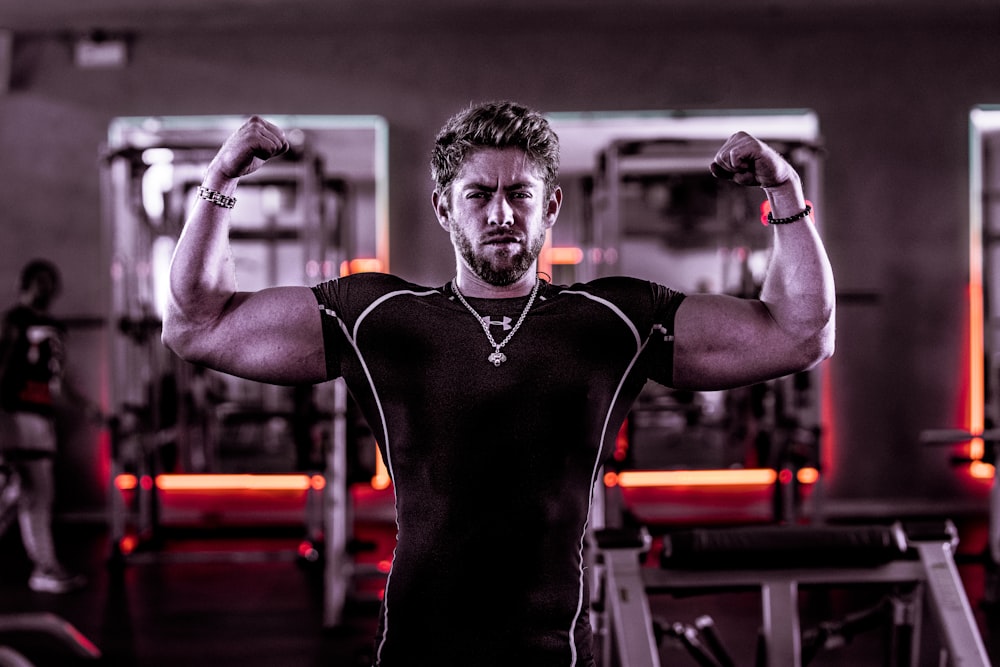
(31, 374)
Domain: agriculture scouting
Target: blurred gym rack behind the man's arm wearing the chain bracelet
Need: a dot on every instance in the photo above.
(310, 216)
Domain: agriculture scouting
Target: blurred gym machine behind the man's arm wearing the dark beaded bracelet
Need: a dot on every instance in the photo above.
(655, 211)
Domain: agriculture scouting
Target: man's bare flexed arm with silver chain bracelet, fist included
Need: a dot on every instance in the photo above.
(274, 335)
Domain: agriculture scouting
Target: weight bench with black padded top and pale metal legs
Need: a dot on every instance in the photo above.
(776, 560)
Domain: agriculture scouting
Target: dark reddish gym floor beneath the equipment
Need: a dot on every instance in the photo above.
(246, 601)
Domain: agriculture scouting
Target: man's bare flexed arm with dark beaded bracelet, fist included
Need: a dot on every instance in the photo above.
(723, 341)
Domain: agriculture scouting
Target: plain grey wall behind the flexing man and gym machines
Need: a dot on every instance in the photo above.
(892, 96)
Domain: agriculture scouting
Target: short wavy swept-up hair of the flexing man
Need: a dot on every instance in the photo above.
(502, 124)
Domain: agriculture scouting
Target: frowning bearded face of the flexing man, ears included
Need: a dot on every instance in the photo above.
(497, 214)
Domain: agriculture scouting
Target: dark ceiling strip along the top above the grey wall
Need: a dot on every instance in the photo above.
(50, 16)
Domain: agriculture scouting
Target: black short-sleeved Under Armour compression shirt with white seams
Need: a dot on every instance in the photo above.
(493, 466)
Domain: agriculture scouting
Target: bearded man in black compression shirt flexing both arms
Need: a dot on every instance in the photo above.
(496, 397)
